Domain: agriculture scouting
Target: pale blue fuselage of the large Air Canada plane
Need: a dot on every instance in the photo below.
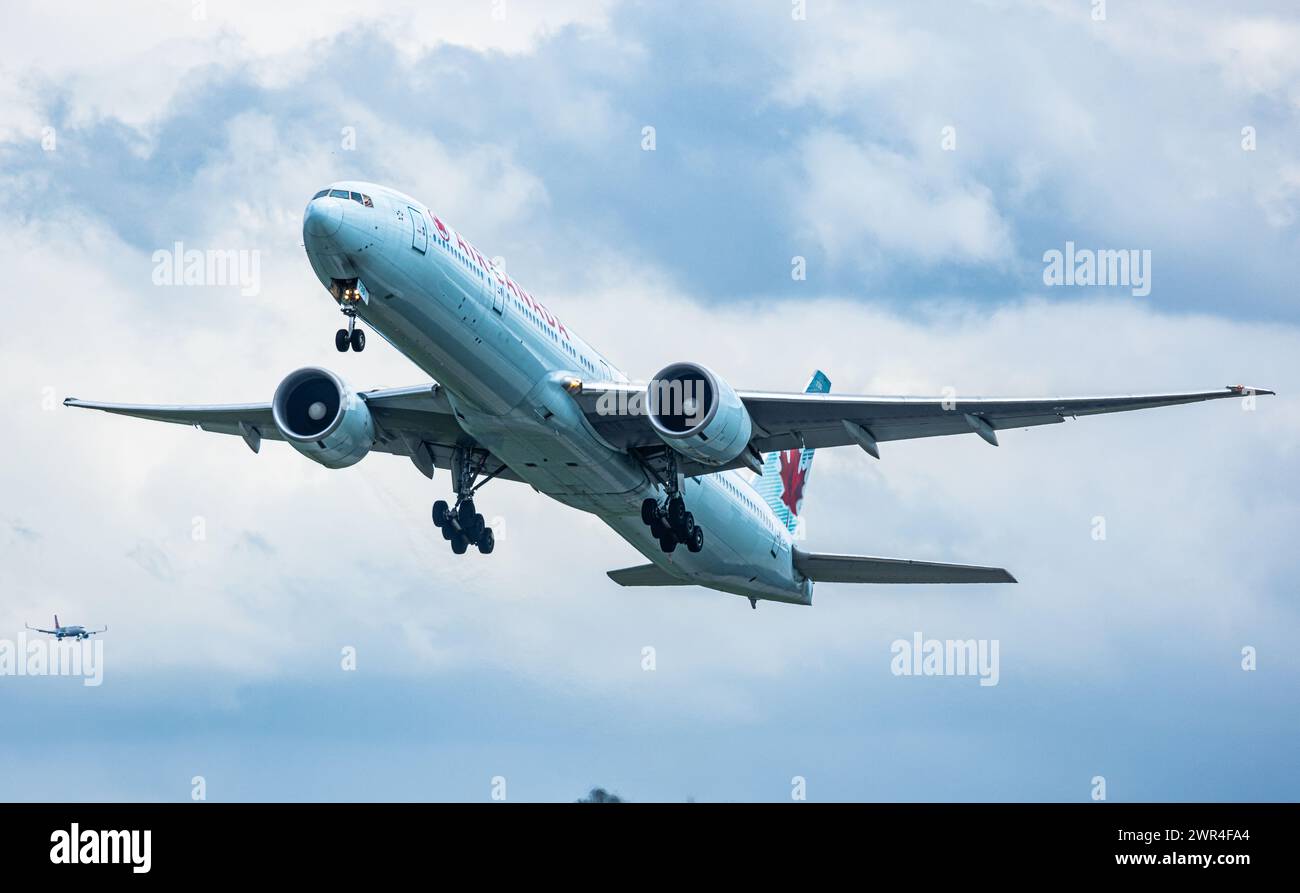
(502, 358)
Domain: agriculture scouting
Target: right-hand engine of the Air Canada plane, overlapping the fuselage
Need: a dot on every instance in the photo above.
(699, 414)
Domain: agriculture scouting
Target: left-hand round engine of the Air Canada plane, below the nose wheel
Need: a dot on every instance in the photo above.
(323, 418)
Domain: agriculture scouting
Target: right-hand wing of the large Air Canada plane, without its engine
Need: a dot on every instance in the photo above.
(787, 422)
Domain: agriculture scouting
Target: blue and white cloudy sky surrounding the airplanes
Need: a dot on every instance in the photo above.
(921, 158)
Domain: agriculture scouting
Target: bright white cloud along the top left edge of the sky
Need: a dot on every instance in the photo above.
(131, 60)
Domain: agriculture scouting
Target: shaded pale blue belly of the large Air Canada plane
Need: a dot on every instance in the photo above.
(509, 406)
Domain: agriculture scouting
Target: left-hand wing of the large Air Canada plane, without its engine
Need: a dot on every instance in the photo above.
(418, 423)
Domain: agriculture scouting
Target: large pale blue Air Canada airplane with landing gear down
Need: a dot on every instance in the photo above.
(521, 397)
